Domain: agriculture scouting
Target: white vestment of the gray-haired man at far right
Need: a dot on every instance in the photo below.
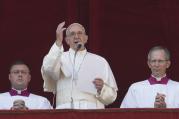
(142, 94)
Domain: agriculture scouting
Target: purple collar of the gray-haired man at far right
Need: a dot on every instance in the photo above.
(152, 80)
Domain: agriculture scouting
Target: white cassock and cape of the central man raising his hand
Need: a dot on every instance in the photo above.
(71, 79)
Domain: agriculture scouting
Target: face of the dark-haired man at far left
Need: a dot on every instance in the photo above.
(19, 76)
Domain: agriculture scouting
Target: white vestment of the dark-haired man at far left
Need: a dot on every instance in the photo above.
(32, 101)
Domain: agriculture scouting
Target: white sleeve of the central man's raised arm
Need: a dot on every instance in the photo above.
(51, 68)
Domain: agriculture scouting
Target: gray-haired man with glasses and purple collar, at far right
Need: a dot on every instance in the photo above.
(158, 91)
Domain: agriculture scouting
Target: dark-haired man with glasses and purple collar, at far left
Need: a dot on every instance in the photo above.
(19, 98)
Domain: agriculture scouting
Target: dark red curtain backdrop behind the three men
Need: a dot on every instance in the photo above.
(122, 31)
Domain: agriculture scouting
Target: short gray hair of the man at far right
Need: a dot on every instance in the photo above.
(167, 53)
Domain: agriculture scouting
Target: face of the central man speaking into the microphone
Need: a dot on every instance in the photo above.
(76, 35)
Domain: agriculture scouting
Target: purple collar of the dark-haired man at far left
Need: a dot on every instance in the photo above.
(14, 92)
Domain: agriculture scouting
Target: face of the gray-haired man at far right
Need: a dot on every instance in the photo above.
(158, 63)
